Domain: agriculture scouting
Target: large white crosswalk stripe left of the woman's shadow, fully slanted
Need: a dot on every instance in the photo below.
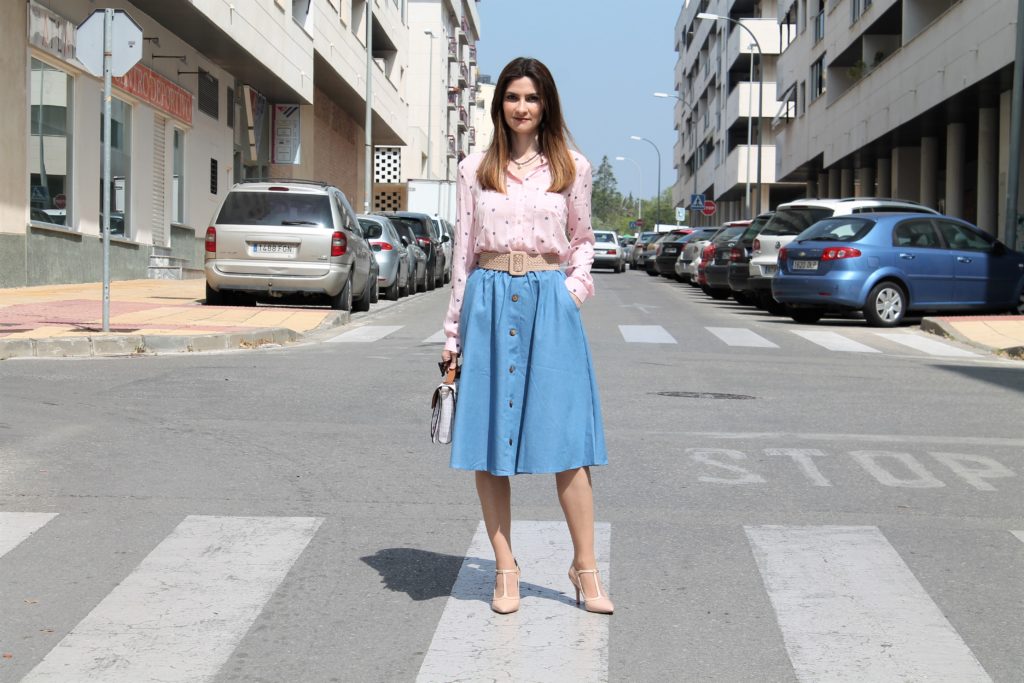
(183, 612)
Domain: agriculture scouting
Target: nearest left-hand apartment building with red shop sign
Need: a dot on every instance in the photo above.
(224, 92)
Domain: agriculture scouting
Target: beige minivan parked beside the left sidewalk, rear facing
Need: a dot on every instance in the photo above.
(276, 239)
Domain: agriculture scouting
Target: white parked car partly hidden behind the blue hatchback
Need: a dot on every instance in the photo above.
(792, 219)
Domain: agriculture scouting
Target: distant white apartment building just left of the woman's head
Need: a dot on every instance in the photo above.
(443, 37)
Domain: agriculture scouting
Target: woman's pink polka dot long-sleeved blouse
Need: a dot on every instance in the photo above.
(528, 219)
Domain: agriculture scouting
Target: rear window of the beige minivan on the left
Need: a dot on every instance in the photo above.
(255, 208)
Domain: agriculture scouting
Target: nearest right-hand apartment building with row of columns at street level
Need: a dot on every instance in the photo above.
(907, 99)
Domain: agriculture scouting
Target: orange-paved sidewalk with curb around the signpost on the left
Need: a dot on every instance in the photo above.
(147, 317)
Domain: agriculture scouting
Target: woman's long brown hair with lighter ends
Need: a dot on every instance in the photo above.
(553, 136)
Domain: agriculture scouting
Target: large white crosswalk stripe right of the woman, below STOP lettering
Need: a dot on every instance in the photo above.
(850, 610)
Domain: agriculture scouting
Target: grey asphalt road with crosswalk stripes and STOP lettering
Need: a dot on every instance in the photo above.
(779, 507)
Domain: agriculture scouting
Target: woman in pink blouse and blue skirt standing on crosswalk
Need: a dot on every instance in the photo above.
(528, 400)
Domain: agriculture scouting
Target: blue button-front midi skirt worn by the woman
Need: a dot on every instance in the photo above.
(528, 398)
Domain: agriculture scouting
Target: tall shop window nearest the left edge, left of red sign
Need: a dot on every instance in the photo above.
(51, 144)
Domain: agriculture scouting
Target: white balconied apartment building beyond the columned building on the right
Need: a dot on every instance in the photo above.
(722, 72)
